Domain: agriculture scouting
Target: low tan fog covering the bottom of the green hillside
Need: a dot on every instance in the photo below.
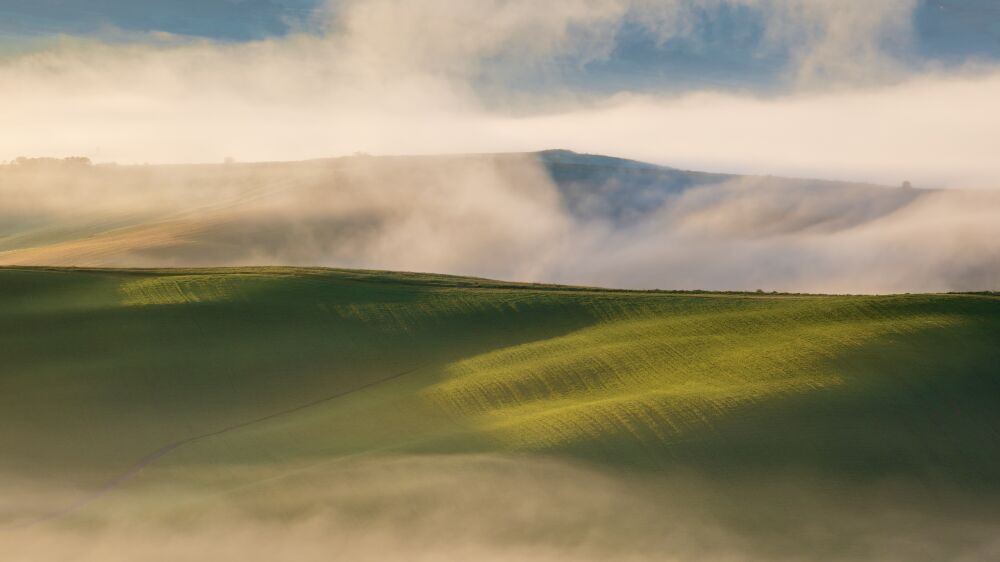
(492, 507)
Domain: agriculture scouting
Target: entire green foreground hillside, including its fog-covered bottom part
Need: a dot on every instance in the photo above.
(154, 404)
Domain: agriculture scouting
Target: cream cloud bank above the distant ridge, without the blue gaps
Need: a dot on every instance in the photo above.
(390, 76)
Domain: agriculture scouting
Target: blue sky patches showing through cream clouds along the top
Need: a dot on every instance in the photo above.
(948, 31)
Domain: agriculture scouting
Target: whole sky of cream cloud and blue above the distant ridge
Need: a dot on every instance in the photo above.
(885, 92)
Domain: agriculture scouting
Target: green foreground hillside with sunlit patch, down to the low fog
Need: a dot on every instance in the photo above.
(106, 372)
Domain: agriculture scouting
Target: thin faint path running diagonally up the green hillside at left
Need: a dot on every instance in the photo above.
(138, 466)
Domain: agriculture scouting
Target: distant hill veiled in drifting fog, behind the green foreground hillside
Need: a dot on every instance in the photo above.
(505, 217)
